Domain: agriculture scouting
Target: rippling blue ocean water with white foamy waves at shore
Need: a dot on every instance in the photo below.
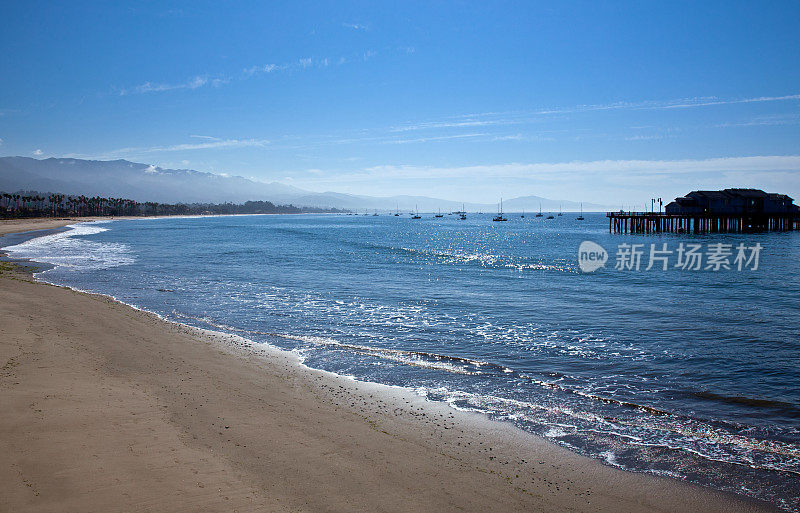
(693, 374)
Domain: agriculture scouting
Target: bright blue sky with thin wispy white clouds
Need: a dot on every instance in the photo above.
(590, 101)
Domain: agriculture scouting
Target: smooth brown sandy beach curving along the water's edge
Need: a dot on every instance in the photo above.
(108, 408)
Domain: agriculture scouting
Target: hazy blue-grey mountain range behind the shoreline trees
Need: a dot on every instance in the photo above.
(143, 182)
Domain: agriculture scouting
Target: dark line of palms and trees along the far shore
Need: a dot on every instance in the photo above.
(22, 204)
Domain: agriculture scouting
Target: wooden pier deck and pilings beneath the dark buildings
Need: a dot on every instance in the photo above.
(653, 222)
